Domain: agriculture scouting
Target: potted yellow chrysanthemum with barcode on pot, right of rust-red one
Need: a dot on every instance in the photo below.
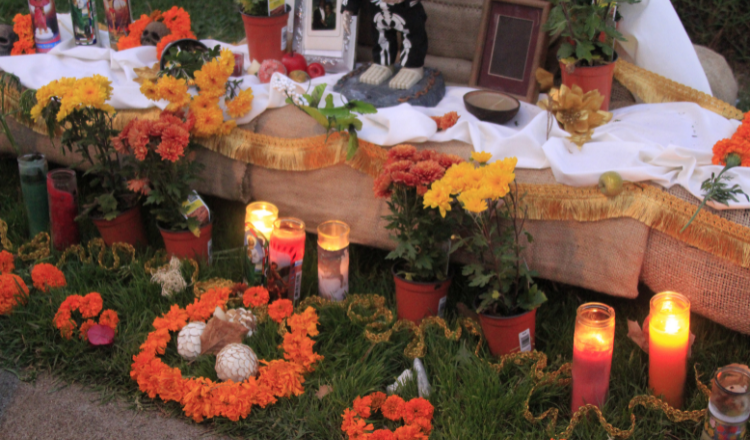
(489, 197)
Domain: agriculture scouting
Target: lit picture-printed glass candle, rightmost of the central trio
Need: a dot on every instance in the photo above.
(333, 260)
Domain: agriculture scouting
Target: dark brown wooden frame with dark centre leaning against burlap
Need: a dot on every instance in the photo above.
(510, 47)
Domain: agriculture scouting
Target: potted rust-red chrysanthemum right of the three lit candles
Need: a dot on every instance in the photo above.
(422, 236)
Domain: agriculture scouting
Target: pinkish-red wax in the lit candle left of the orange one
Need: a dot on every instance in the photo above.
(592, 363)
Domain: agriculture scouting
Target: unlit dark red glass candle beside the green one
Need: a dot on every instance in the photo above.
(63, 208)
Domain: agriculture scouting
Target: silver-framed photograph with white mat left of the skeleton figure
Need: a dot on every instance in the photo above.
(320, 34)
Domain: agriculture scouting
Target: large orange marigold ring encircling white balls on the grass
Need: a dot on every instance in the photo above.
(203, 398)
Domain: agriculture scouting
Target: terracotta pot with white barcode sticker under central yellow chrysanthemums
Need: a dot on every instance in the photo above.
(505, 335)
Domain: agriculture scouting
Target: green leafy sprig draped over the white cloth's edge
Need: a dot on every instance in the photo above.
(341, 119)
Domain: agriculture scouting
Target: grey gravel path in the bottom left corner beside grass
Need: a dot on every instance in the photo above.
(43, 410)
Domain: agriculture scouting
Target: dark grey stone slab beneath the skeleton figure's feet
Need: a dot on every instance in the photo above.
(426, 93)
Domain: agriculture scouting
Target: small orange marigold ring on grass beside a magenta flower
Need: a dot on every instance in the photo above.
(89, 306)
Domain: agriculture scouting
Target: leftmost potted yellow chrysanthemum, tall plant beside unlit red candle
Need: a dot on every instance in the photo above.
(79, 108)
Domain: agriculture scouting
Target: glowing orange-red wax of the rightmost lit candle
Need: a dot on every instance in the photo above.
(667, 369)
